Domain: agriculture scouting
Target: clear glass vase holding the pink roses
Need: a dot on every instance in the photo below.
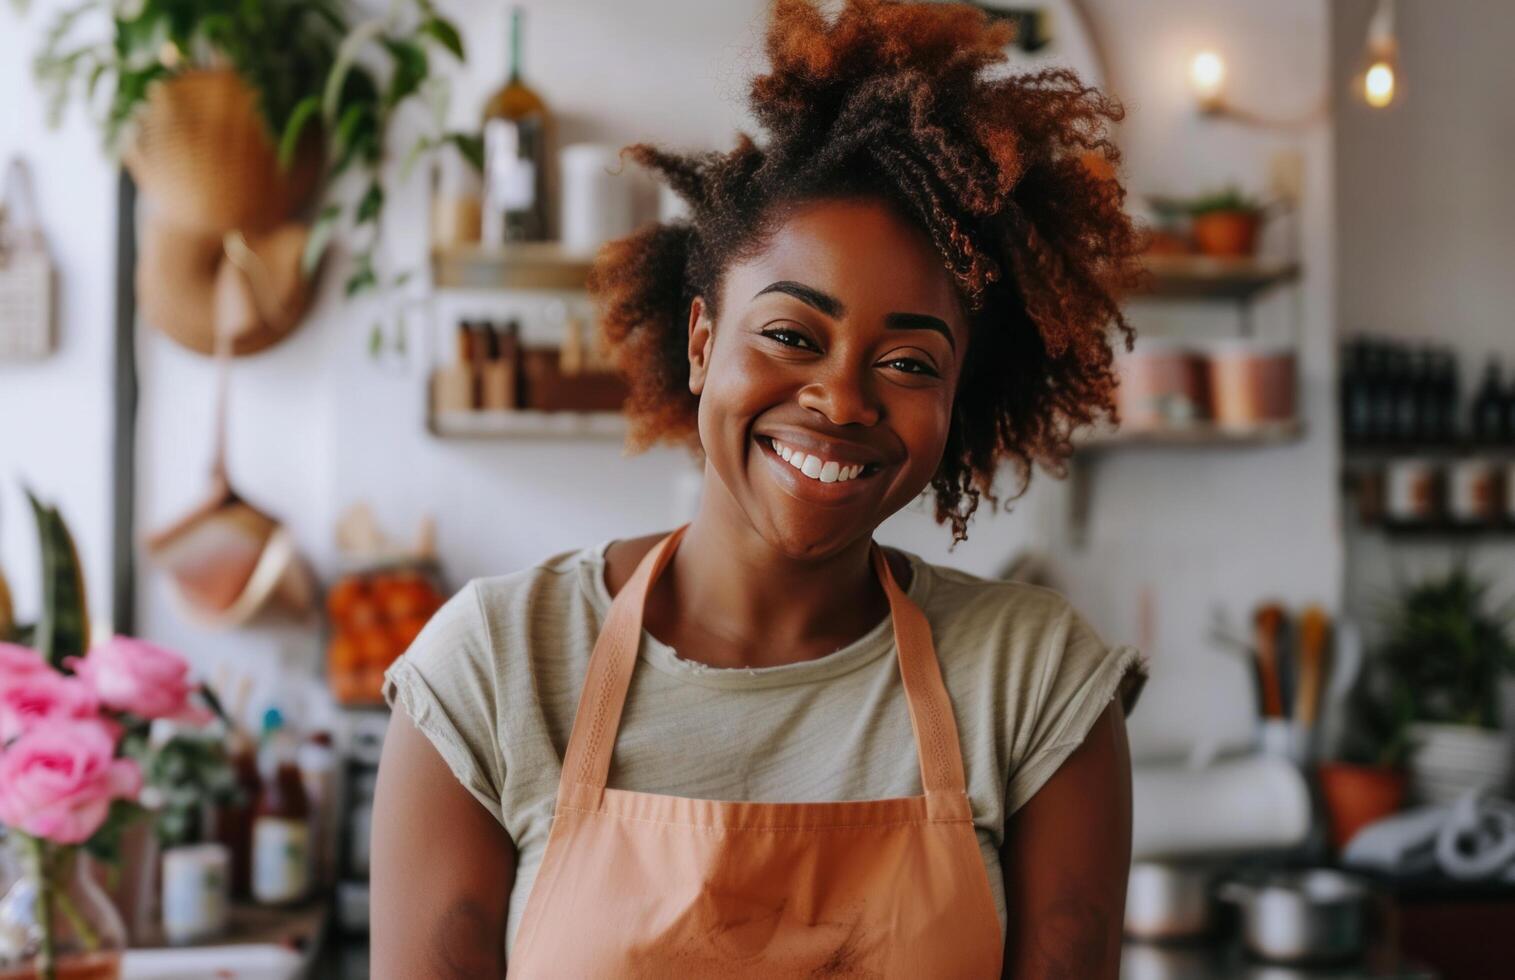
(52, 884)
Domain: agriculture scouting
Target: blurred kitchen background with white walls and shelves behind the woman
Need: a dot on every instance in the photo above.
(1308, 520)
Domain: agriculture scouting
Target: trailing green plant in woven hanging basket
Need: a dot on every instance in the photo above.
(325, 86)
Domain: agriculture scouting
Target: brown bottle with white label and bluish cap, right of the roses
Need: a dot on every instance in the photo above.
(281, 822)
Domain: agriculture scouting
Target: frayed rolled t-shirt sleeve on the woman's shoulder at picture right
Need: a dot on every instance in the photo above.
(1073, 679)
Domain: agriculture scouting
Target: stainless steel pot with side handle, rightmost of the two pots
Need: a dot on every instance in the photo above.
(1299, 917)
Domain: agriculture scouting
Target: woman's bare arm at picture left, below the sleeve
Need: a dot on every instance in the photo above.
(442, 869)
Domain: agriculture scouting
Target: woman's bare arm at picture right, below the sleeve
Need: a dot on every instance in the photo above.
(1067, 855)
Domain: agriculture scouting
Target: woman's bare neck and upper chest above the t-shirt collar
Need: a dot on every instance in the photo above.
(729, 599)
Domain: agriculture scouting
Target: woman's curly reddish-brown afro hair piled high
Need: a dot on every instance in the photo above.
(1011, 178)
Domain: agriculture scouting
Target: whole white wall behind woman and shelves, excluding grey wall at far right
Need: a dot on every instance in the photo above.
(316, 426)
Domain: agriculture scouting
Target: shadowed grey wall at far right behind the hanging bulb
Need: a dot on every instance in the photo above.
(1428, 225)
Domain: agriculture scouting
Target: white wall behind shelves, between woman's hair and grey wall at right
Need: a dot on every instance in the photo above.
(1208, 531)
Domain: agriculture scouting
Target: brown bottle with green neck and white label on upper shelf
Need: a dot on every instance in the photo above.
(516, 134)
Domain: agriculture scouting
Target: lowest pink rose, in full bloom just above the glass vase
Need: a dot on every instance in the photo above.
(60, 778)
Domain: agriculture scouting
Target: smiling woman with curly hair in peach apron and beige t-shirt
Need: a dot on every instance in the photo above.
(761, 744)
